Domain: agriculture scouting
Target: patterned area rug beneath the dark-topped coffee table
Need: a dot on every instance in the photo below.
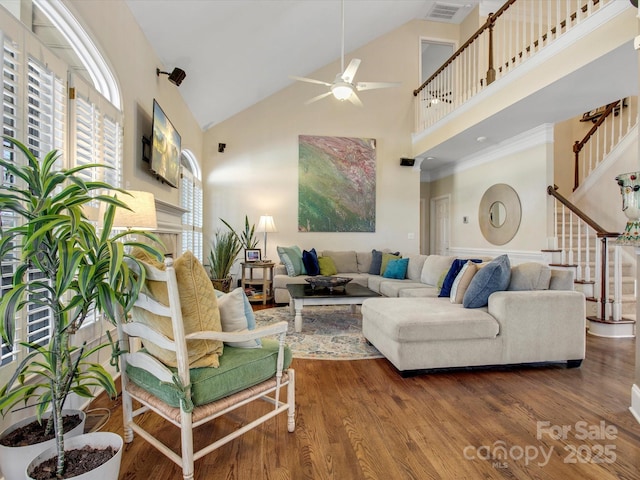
(328, 332)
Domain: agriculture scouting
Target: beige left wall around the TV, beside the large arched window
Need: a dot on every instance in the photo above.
(113, 28)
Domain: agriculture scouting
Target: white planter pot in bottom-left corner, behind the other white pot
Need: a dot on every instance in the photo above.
(14, 460)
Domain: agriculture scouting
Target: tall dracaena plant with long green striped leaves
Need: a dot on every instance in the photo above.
(79, 269)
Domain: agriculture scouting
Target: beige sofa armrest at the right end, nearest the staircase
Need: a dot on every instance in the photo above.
(540, 324)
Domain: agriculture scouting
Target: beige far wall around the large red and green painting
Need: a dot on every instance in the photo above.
(258, 172)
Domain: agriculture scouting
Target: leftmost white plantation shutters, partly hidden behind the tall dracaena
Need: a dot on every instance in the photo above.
(34, 111)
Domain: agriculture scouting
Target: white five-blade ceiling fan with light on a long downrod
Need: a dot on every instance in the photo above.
(343, 86)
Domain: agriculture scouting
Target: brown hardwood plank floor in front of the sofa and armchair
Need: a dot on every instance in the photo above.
(362, 420)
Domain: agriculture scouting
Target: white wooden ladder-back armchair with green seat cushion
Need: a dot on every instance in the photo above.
(172, 392)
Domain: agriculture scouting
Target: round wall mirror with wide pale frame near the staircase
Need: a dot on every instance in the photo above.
(499, 214)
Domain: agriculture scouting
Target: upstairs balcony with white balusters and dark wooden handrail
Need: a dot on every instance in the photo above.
(531, 63)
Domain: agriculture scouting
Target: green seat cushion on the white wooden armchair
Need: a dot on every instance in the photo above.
(239, 368)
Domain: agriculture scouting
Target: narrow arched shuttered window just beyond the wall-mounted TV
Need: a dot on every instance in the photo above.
(191, 200)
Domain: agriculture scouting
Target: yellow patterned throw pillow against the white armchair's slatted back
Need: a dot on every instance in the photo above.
(200, 311)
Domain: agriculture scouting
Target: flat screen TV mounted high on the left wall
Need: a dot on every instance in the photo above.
(165, 148)
